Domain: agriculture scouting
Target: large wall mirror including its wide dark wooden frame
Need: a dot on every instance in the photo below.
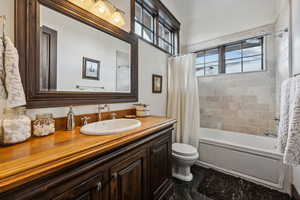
(69, 56)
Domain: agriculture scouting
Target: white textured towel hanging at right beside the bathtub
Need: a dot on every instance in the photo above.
(292, 150)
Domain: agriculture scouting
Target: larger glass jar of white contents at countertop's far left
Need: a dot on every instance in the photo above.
(15, 127)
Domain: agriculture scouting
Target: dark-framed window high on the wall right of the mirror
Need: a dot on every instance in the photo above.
(153, 25)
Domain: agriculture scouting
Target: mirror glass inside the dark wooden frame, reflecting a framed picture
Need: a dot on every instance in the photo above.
(76, 57)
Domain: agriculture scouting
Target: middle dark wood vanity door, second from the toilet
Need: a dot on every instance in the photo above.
(129, 178)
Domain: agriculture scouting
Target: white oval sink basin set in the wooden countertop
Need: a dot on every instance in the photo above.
(110, 126)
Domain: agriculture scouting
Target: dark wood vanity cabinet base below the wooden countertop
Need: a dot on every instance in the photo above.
(140, 170)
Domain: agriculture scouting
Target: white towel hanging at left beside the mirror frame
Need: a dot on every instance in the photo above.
(13, 84)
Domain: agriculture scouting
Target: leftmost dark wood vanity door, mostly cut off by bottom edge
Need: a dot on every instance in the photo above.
(90, 189)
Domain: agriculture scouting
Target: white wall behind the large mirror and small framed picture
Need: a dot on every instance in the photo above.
(148, 55)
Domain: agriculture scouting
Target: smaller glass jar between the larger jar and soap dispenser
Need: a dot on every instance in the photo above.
(43, 125)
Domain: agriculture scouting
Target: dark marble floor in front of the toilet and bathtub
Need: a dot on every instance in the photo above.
(212, 185)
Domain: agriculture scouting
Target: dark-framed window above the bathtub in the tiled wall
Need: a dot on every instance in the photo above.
(238, 57)
